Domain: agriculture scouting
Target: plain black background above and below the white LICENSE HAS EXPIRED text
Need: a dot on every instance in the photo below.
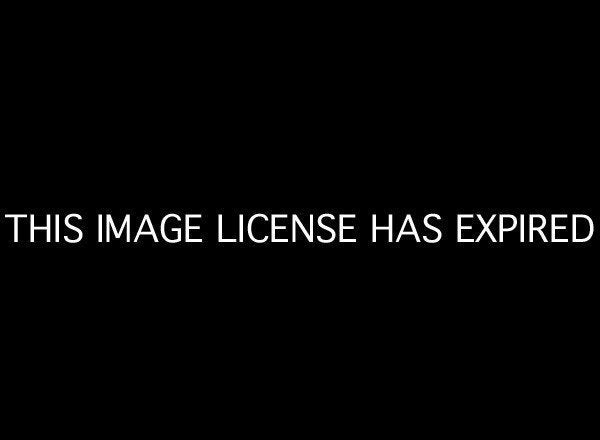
(368, 113)
